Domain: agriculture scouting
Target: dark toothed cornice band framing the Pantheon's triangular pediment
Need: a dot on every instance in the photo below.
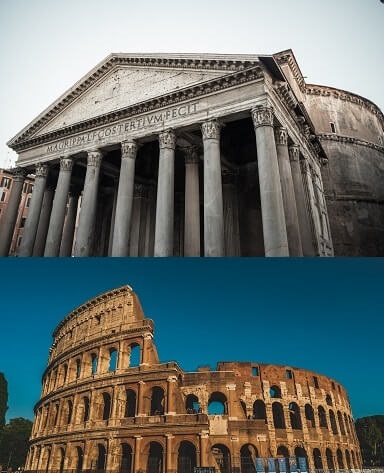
(238, 77)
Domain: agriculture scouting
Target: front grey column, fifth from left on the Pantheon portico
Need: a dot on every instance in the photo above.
(120, 245)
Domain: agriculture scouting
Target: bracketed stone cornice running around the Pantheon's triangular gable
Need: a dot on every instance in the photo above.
(239, 73)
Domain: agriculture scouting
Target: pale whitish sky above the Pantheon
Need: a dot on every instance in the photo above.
(48, 45)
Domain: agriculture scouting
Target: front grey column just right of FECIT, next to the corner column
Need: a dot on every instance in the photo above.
(213, 192)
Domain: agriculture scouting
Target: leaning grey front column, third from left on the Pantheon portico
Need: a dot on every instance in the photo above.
(56, 223)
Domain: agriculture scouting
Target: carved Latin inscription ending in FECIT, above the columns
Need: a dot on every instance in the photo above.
(124, 127)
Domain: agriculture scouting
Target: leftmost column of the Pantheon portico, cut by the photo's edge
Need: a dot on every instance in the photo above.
(10, 217)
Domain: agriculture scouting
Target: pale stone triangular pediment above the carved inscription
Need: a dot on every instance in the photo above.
(121, 81)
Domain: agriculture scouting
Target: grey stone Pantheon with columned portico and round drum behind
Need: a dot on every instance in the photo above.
(201, 155)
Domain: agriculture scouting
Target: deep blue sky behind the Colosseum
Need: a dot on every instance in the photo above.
(321, 314)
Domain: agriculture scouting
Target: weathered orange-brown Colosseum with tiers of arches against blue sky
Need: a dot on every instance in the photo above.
(108, 404)
